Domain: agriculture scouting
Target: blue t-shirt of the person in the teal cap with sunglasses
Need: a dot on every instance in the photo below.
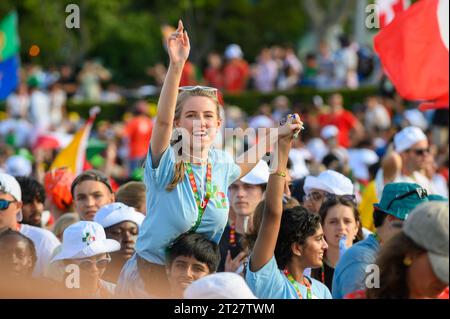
(350, 271)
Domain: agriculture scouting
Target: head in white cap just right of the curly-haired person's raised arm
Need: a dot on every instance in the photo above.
(328, 183)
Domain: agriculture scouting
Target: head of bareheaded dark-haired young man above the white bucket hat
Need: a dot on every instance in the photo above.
(91, 190)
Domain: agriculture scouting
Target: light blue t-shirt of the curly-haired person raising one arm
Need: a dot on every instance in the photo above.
(270, 283)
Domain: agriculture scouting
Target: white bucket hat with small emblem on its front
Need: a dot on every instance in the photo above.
(85, 239)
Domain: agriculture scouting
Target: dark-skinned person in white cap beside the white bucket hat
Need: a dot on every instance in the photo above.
(121, 223)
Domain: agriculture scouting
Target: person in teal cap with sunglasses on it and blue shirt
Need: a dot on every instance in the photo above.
(397, 201)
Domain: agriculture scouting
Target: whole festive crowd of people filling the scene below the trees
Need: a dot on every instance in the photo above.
(334, 204)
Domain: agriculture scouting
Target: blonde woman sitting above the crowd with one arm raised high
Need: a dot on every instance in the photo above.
(186, 180)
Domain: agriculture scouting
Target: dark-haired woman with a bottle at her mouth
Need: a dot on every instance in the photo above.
(342, 228)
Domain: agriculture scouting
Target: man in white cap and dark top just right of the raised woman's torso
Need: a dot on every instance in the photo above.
(245, 194)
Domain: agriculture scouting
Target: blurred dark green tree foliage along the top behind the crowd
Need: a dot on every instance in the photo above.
(126, 36)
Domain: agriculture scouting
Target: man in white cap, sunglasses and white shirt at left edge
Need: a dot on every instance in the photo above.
(10, 214)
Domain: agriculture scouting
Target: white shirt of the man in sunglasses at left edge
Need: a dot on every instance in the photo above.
(44, 242)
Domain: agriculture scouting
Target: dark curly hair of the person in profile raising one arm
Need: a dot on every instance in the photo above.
(297, 224)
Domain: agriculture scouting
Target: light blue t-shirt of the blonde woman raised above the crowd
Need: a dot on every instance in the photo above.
(170, 214)
